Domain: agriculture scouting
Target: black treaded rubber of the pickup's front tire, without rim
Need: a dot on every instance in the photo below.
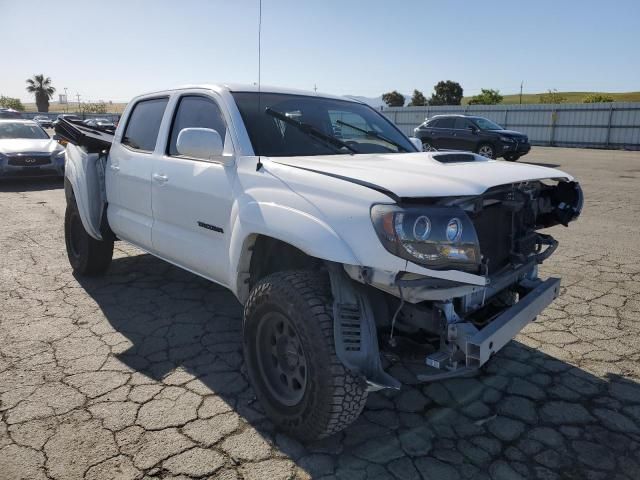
(334, 396)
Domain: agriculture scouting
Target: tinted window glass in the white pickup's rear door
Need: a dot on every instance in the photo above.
(143, 124)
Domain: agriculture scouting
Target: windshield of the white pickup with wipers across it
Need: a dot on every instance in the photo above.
(358, 127)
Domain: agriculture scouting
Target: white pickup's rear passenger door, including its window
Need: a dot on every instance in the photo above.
(129, 175)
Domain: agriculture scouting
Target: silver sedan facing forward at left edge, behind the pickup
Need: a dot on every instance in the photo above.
(27, 150)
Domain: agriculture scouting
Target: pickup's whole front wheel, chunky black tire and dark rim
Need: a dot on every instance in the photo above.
(291, 360)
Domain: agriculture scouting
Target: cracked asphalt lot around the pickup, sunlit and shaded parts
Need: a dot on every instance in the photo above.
(139, 374)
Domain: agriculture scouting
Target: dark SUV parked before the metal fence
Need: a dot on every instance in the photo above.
(474, 134)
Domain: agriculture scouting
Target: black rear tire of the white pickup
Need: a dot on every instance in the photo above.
(87, 255)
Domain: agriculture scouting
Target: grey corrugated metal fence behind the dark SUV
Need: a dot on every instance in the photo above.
(599, 125)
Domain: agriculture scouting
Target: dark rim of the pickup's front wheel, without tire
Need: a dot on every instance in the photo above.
(281, 358)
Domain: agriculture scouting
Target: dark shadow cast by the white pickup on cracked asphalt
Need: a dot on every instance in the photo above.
(528, 415)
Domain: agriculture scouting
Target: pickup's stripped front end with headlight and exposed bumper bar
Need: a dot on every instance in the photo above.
(490, 245)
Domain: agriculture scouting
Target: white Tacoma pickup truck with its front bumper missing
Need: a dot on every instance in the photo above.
(350, 249)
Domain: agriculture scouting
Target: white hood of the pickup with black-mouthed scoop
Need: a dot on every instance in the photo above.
(409, 175)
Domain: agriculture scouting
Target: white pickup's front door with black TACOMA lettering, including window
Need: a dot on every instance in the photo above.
(192, 197)
